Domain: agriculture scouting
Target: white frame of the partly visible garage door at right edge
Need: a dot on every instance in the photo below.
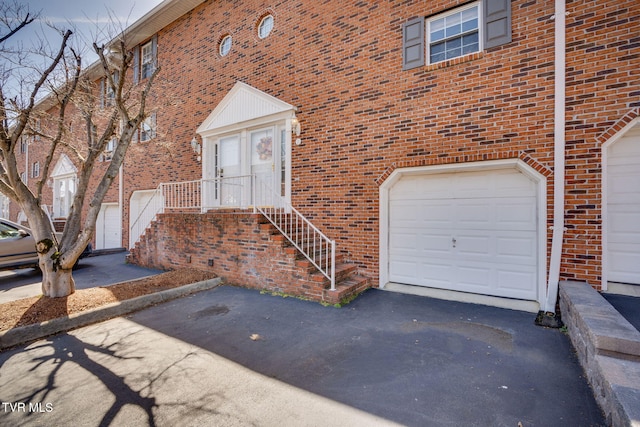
(632, 126)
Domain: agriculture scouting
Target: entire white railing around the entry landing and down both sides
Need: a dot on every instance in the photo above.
(242, 192)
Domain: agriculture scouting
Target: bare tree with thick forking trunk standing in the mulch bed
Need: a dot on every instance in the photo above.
(103, 100)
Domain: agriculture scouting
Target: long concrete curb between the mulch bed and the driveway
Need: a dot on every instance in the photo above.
(24, 334)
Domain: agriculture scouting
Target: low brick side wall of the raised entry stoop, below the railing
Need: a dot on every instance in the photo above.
(241, 246)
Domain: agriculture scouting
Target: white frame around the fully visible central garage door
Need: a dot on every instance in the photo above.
(493, 165)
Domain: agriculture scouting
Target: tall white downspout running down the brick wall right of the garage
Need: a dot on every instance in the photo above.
(559, 159)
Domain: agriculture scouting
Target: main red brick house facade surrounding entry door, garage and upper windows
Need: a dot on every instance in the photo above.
(361, 115)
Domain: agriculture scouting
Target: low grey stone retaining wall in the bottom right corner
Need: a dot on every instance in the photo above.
(608, 348)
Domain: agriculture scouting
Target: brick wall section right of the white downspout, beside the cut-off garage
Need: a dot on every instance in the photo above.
(603, 86)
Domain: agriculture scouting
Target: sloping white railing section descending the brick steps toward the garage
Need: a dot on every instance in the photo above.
(311, 242)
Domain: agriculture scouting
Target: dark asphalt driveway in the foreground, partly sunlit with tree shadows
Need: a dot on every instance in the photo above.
(233, 356)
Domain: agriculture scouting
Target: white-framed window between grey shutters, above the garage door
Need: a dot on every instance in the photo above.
(453, 34)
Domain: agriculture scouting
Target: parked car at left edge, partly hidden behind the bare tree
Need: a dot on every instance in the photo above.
(18, 247)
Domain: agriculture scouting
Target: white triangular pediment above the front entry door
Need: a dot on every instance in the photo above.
(243, 104)
